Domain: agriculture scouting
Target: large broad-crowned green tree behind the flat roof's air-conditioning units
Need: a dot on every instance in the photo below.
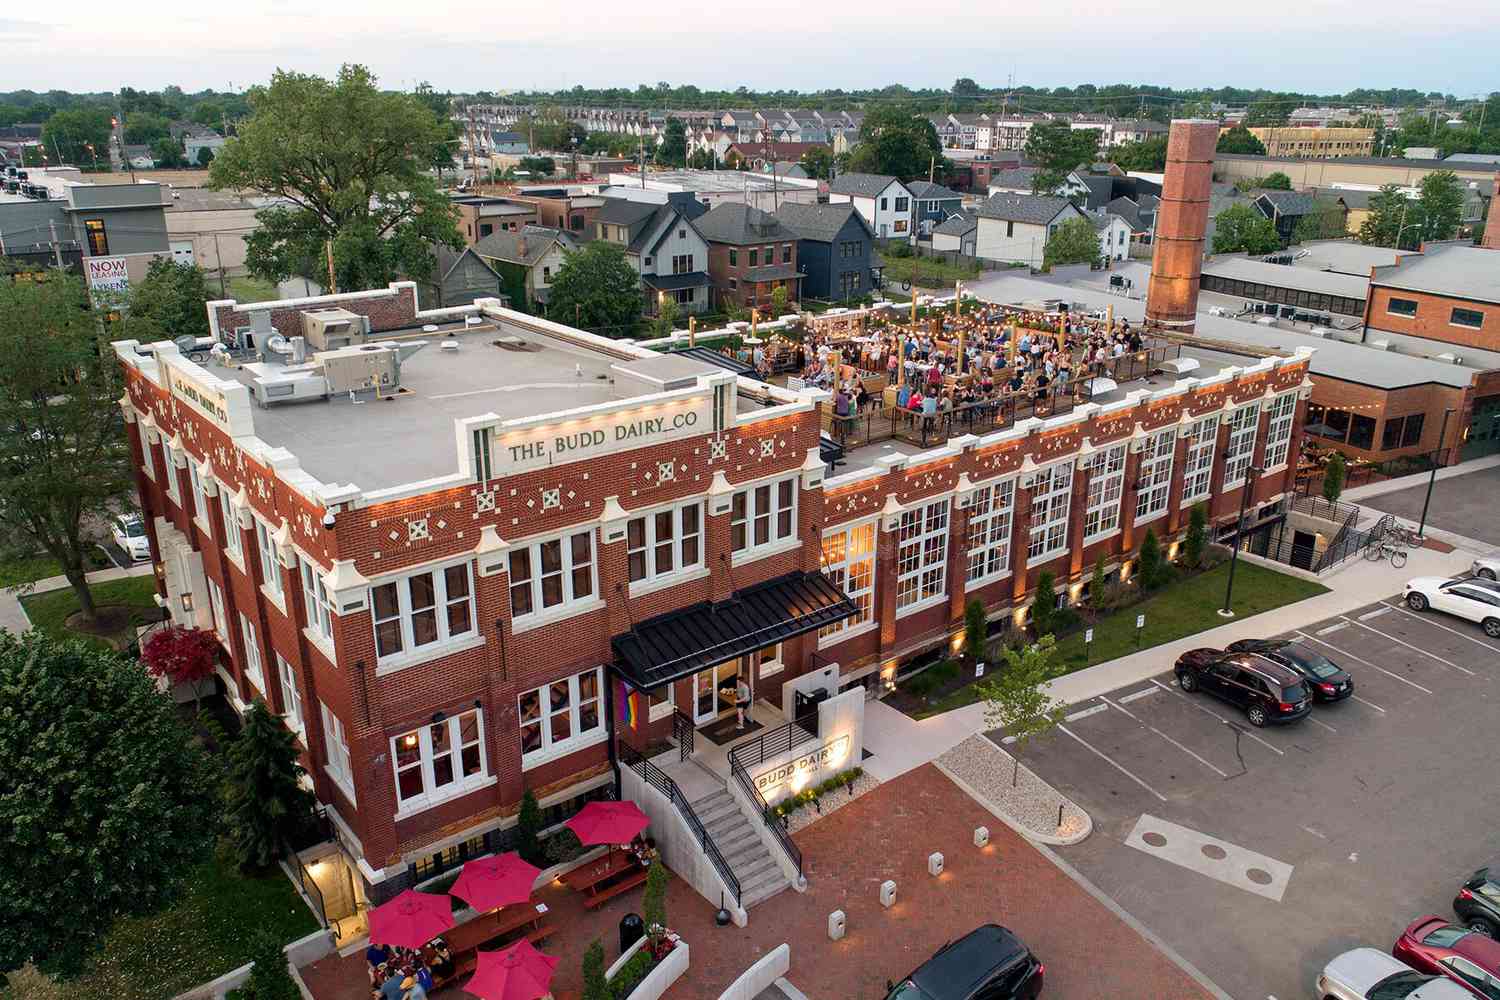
(352, 163)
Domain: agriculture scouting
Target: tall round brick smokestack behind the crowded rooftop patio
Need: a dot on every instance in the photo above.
(1172, 301)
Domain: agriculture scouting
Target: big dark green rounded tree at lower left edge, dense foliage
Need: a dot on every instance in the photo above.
(107, 807)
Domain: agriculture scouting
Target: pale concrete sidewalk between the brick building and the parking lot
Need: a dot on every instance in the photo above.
(901, 743)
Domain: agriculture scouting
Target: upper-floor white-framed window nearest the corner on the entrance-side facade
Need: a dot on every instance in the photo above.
(422, 609)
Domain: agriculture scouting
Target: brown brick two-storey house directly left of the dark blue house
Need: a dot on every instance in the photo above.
(751, 254)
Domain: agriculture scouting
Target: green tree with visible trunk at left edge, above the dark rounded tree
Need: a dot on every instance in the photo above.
(68, 463)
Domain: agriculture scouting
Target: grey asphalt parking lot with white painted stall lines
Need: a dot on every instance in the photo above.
(1261, 854)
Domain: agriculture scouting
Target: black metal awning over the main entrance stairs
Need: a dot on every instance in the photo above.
(697, 638)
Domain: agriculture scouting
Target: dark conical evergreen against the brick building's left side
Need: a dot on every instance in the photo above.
(266, 800)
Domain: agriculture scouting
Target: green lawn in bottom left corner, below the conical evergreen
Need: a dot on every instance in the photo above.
(206, 935)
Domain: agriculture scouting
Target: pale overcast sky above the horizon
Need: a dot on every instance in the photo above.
(1304, 46)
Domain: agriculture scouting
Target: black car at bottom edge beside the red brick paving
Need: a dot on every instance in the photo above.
(989, 963)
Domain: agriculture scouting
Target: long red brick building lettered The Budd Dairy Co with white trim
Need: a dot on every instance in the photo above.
(455, 596)
